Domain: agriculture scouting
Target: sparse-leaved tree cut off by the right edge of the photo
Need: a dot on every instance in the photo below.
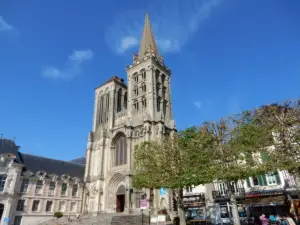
(282, 120)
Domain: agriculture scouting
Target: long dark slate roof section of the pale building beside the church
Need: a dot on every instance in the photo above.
(51, 166)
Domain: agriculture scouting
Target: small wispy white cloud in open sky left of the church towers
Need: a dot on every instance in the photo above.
(73, 66)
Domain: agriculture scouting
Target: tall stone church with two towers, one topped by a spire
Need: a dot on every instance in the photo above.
(125, 115)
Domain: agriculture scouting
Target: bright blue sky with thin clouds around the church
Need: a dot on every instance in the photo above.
(225, 56)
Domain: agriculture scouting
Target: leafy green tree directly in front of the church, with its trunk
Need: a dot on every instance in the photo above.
(172, 162)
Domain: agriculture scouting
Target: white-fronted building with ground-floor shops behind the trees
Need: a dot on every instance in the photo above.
(268, 193)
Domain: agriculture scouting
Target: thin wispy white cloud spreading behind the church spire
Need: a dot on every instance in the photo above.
(172, 24)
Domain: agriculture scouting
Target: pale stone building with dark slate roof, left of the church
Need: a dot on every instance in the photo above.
(32, 188)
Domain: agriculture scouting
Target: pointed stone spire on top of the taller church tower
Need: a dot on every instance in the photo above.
(148, 41)
